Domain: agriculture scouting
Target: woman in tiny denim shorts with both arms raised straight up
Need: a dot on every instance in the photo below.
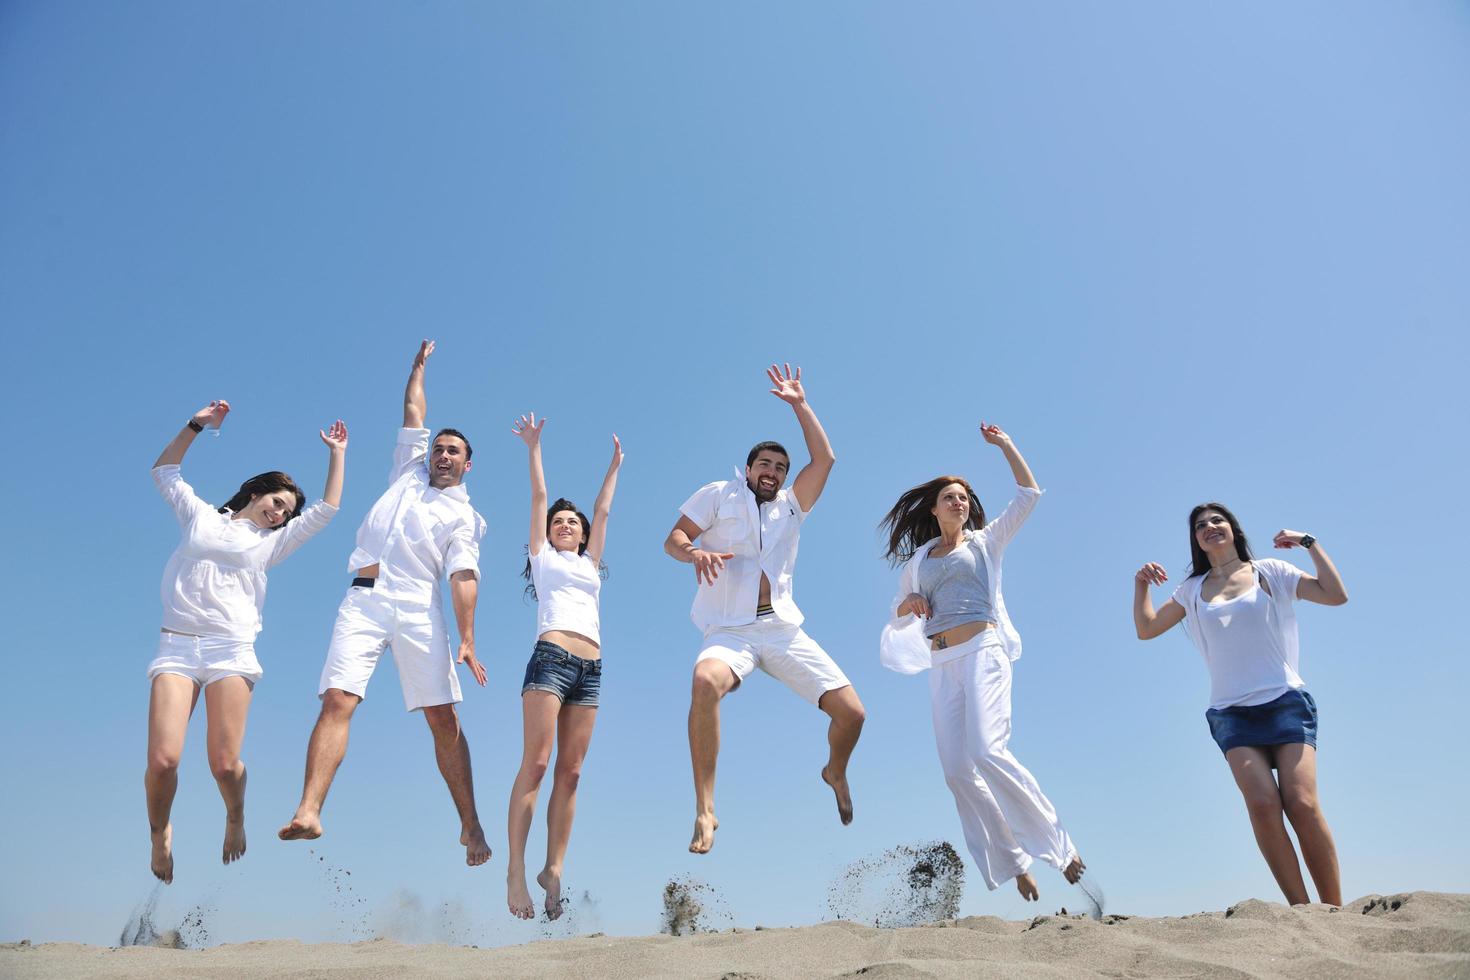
(562, 687)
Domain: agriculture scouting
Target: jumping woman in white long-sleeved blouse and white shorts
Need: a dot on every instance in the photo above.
(214, 593)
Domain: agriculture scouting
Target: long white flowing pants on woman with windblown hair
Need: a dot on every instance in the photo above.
(1006, 818)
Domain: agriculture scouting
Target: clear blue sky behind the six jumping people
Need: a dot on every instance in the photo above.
(1178, 252)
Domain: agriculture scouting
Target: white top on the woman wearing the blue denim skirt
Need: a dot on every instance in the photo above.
(1249, 643)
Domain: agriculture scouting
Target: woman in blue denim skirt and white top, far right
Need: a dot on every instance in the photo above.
(1240, 615)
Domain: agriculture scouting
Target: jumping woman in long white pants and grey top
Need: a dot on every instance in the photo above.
(950, 619)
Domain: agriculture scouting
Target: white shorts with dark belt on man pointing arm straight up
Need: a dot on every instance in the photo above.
(370, 624)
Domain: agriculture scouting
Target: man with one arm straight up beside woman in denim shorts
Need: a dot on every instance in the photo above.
(418, 533)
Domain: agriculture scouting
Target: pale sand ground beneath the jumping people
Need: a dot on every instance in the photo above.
(1410, 935)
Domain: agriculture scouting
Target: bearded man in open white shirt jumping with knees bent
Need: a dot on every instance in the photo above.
(747, 531)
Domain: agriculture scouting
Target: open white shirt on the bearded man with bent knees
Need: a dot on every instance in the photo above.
(764, 540)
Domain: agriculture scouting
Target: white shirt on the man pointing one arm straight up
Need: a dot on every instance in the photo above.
(417, 534)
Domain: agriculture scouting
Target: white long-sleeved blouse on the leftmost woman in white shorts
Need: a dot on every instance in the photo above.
(215, 581)
